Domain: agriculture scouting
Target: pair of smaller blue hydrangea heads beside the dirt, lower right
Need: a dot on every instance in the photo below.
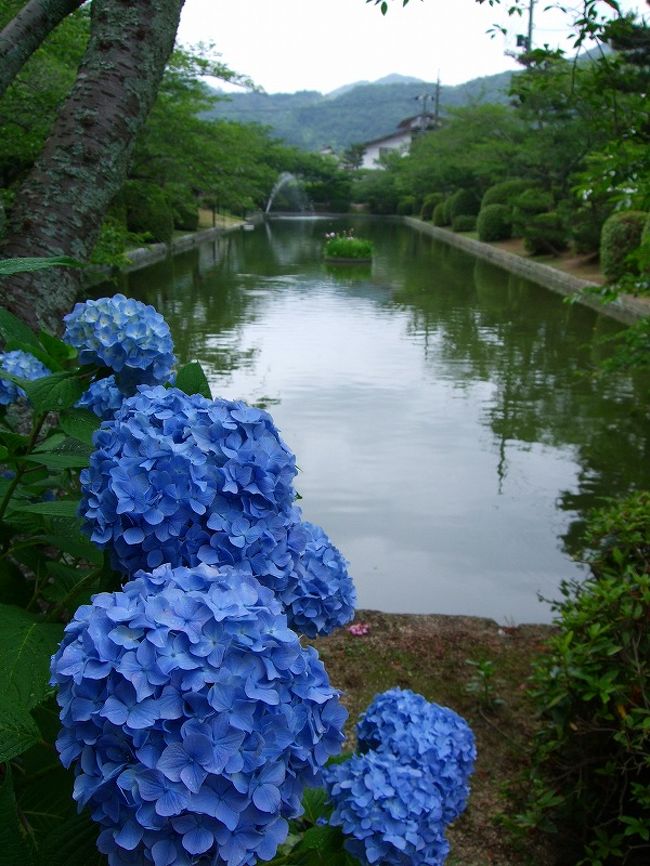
(395, 799)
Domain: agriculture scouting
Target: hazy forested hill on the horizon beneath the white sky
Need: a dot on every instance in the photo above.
(352, 114)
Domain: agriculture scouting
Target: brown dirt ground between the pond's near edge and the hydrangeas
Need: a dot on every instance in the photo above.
(429, 654)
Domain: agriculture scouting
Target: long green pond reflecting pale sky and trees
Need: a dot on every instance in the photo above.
(449, 433)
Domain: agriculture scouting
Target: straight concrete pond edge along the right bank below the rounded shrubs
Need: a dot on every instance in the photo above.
(627, 309)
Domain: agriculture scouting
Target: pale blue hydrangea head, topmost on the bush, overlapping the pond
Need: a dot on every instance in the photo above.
(126, 335)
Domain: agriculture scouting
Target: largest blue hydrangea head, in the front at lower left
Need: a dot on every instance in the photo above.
(193, 717)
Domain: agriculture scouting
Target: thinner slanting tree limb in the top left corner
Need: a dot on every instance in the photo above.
(25, 33)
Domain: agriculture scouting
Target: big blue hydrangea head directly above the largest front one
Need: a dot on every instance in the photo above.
(186, 480)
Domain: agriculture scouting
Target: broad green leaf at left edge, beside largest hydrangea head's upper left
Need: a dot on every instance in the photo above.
(26, 646)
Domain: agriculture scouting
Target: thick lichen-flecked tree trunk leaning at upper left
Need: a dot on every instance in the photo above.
(61, 205)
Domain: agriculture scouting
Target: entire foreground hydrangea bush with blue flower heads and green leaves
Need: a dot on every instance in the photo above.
(194, 718)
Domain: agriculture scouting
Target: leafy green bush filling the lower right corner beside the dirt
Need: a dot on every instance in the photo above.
(590, 775)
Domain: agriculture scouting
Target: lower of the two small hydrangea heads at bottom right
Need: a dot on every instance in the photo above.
(390, 812)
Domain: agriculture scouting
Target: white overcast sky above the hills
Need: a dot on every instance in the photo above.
(290, 45)
